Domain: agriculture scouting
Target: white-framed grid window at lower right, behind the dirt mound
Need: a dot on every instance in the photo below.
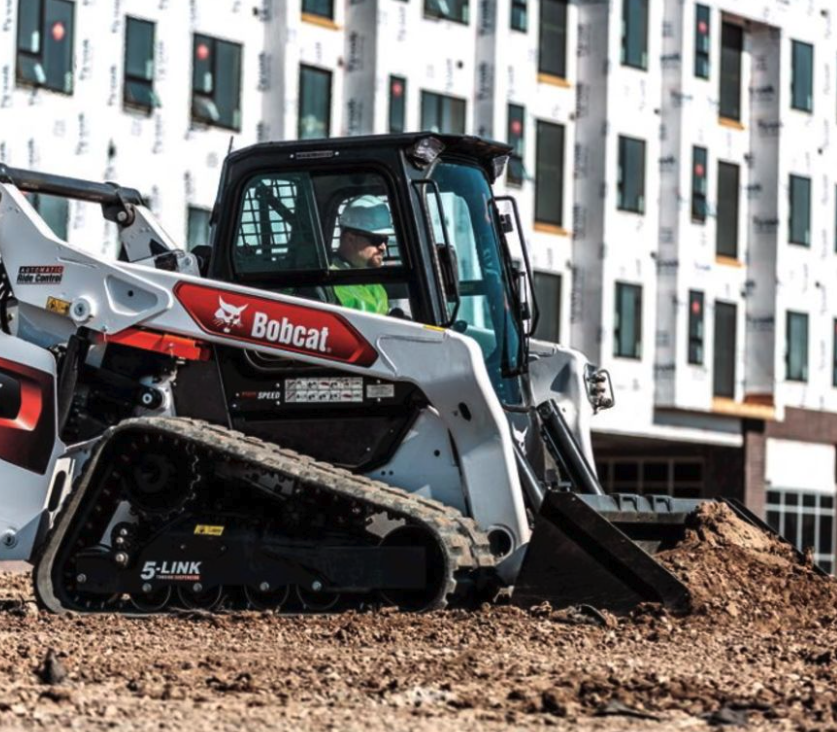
(805, 519)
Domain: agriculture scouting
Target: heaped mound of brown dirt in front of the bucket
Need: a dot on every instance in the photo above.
(737, 573)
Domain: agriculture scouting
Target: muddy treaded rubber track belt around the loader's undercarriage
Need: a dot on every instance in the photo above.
(465, 545)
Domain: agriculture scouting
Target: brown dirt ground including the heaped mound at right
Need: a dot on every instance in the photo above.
(758, 651)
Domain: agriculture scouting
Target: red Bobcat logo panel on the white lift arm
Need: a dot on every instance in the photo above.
(280, 325)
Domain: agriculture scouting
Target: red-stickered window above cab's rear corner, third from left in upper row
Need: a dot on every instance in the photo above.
(216, 83)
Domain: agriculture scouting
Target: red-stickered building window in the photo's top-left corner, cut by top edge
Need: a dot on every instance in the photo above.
(45, 44)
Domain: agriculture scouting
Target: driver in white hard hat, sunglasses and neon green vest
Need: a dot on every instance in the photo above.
(365, 228)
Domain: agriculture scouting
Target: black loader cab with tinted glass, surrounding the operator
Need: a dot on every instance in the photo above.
(279, 218)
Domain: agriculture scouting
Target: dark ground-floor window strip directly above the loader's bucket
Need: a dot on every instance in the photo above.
(678, 477)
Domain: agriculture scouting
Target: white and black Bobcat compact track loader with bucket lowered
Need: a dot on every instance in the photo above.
(218, 428)
